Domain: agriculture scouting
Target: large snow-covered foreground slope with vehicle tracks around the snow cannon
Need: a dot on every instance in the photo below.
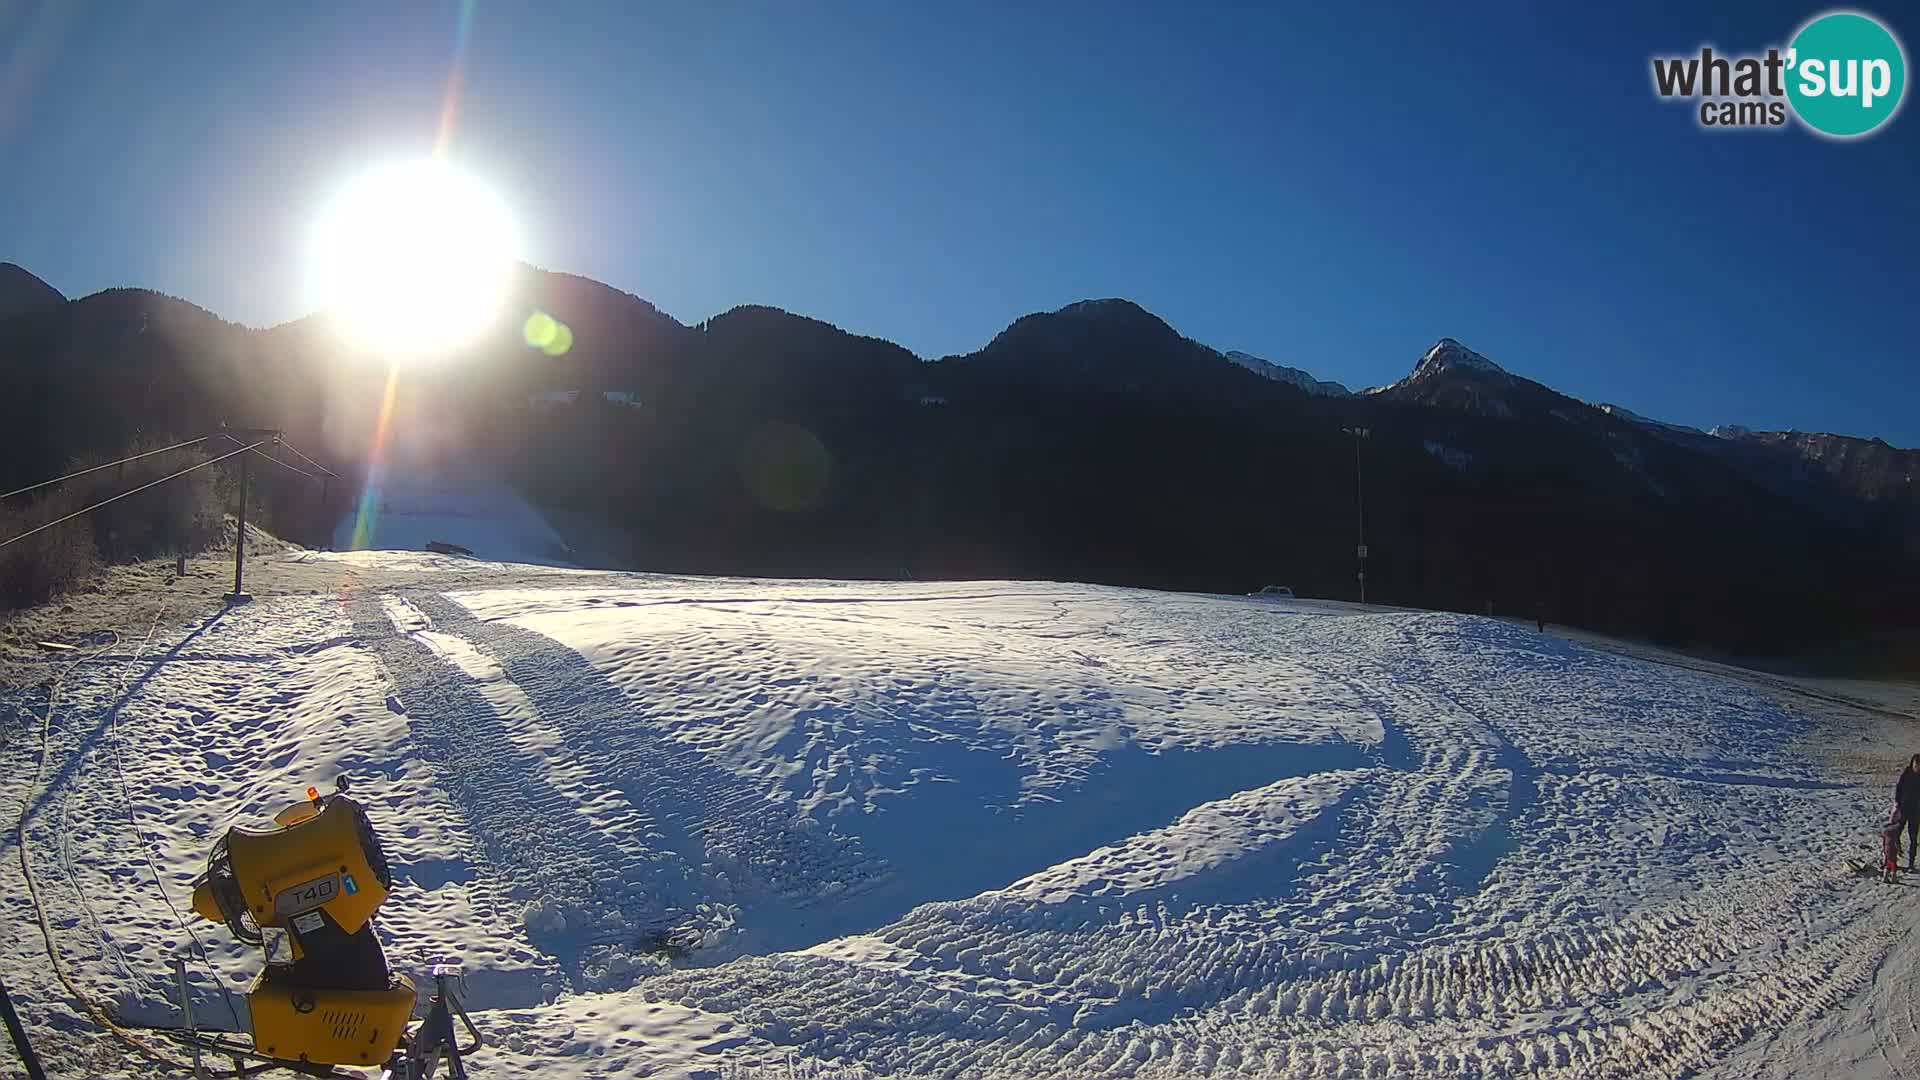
(988, 829)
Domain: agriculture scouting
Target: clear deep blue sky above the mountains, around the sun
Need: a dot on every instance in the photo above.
(1330, 187)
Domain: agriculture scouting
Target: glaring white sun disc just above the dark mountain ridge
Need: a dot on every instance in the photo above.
(414, 258)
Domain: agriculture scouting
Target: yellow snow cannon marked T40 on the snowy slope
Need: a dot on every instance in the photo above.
(320, 877)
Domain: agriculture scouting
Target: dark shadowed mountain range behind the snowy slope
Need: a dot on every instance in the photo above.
(1088, 445)
